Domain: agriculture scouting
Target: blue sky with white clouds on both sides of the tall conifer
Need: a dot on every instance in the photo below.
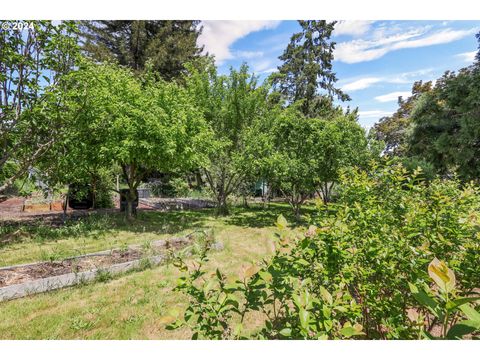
(375, 61)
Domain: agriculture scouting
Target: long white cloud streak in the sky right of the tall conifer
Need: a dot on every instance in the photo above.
(381, 42)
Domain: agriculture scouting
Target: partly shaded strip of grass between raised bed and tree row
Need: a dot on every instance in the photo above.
(21, 244)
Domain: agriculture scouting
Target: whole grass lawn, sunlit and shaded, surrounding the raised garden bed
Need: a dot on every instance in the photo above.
(131, 306)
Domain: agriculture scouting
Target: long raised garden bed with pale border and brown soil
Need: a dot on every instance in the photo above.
(22, 280)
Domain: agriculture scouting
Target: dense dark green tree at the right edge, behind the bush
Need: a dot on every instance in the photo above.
(446, 131)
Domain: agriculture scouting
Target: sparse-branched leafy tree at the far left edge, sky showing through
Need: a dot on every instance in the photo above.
(32, 63)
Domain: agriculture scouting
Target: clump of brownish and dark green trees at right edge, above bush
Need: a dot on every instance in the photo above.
(437, 127)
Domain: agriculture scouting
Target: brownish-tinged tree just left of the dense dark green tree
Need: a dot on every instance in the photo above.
(394, 130)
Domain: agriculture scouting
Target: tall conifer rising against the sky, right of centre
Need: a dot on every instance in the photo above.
(308, 68)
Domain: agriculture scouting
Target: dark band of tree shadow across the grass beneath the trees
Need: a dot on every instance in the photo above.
(103, 222)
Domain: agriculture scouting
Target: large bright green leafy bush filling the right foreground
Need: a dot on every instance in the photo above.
(350, 274)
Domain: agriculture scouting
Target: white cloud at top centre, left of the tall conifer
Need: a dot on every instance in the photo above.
(219, 35)
